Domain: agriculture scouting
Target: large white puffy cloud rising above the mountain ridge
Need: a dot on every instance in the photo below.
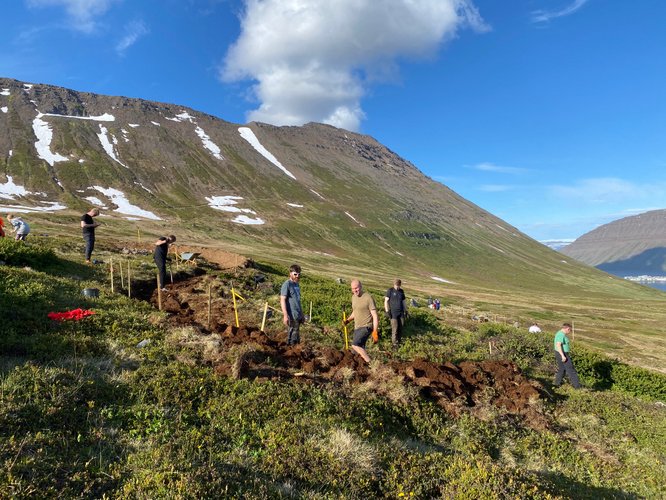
(312, 59)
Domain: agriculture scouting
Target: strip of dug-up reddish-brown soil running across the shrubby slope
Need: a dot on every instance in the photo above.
(469, 386)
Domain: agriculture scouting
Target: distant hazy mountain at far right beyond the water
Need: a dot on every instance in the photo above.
(631, 246)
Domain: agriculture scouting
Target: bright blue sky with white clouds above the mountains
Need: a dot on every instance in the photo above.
(550, 114)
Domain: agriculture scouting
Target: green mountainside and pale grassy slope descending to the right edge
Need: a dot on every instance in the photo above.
(351, 207)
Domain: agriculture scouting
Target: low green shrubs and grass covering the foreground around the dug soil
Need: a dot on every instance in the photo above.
(84, 412)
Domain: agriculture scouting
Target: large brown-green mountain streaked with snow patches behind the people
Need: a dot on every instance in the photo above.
(313, 193)
